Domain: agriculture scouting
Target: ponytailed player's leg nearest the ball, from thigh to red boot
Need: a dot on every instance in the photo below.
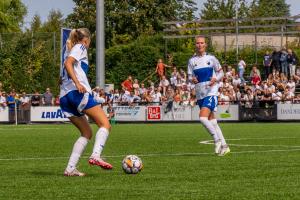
(99, 117)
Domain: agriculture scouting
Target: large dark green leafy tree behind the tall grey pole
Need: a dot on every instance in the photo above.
(126, 20)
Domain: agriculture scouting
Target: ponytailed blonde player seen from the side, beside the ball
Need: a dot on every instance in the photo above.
(76, 100)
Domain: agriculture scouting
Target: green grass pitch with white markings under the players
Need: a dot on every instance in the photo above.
(264, 163)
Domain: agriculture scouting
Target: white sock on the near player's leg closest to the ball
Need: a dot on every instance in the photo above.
(100, 139)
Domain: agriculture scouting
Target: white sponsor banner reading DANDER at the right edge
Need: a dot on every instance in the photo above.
(288, 111)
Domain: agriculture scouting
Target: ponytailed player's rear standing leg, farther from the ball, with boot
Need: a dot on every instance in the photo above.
(86, 133)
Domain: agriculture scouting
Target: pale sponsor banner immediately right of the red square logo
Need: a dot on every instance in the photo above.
(178, 113)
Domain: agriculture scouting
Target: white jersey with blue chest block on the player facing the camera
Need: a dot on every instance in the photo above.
(204, 68)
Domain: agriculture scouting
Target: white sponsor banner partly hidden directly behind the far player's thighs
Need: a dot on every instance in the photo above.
(224, 113)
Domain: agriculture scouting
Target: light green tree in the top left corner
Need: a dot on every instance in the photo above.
(12, 13)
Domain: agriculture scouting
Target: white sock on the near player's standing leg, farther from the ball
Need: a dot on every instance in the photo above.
(77, 151)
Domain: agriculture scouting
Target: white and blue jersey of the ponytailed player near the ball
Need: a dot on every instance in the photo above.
(81, 66)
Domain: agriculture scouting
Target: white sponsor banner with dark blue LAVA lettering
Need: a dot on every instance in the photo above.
(47, 114)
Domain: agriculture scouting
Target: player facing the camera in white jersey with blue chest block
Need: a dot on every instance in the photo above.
(205, 71)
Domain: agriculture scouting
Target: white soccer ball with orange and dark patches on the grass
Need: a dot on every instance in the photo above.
(132, 164)
